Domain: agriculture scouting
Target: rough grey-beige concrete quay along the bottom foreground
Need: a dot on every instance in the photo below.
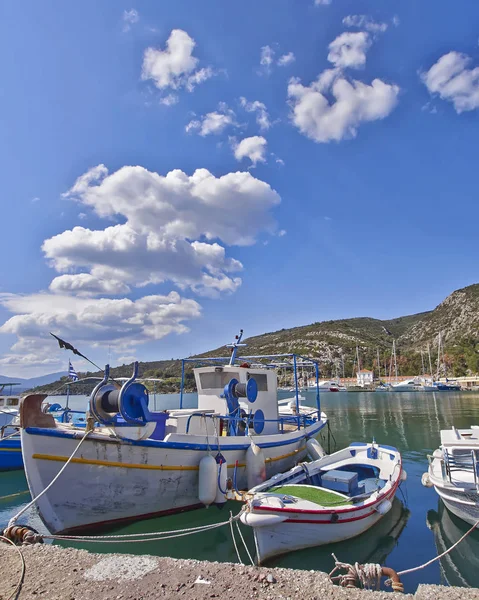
(68, 574)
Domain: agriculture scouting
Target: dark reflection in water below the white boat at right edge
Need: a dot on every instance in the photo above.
(461, 566)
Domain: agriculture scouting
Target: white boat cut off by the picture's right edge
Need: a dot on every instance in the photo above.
(454, 472)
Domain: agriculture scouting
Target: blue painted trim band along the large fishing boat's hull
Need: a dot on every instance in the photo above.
(180, 445)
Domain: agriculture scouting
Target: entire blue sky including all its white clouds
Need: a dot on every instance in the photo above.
(321, 160)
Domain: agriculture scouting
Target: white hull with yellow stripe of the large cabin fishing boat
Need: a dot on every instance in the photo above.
(111, 480)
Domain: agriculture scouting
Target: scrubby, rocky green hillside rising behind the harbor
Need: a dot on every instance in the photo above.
(334, 343)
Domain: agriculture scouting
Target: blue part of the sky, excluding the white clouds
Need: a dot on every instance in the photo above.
(382, 222)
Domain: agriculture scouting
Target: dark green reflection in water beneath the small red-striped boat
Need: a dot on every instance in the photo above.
(372, 546)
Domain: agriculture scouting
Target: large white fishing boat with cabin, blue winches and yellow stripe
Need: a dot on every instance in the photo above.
(136, 463)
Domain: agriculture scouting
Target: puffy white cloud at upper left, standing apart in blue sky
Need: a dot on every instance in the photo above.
(175, 67)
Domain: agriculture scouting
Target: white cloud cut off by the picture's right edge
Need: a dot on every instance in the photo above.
(451, 78)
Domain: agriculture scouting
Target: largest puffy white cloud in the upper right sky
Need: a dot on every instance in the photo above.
(354, 103)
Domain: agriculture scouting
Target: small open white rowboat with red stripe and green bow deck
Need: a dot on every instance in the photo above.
(334, 498)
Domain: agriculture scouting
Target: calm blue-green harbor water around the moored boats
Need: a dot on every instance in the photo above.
(416, 529)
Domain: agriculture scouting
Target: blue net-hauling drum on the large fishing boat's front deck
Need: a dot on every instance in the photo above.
(125, 407)
